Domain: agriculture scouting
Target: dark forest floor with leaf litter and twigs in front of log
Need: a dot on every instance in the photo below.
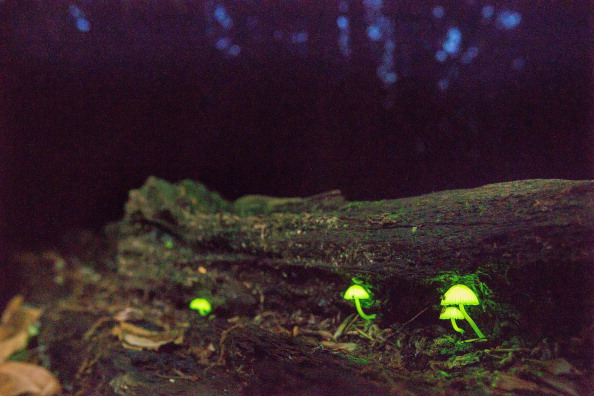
(99, 336)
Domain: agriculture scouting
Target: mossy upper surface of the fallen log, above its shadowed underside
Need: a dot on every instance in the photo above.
(523, 223)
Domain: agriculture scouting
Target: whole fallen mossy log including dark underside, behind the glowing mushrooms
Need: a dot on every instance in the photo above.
(531, 229)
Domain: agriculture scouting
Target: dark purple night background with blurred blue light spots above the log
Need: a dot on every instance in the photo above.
(288, 98)
